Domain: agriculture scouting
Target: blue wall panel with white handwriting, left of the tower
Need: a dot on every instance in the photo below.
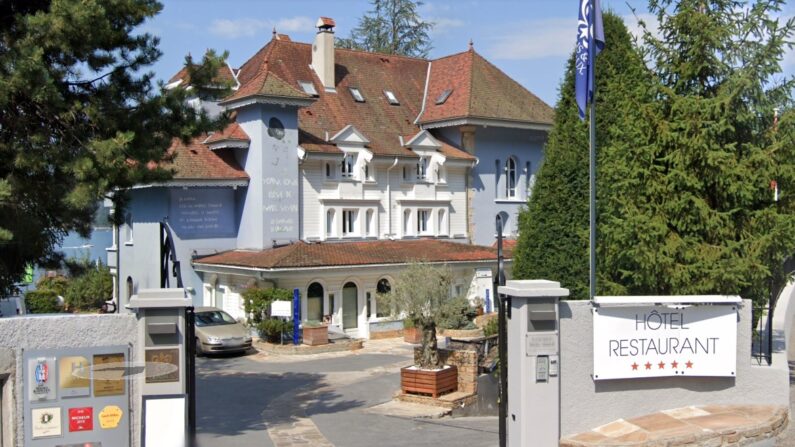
(203, 213)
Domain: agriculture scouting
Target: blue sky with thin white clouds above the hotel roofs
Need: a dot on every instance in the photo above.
(528, 39)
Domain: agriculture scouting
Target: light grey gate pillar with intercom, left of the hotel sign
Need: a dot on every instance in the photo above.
(533, 362)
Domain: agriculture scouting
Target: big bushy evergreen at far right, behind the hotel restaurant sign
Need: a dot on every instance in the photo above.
(698, 214)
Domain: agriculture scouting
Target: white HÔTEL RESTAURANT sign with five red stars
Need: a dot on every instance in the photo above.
(655, 341)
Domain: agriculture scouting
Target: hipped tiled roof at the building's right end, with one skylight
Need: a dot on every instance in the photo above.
(480, 90)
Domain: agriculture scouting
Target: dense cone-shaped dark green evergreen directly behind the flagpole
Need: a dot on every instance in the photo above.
(553, 236)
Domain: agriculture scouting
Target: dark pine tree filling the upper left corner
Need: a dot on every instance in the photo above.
(78, 119)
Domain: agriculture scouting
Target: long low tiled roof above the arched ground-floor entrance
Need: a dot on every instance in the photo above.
(325, 254)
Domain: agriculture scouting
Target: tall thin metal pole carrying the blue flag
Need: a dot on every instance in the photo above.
(592, 156)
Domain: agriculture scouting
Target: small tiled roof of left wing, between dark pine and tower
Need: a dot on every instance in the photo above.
(196, 161)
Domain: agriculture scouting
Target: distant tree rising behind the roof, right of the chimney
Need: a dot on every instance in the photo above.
(391, 27)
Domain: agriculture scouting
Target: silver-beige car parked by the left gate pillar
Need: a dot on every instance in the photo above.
(217, 331)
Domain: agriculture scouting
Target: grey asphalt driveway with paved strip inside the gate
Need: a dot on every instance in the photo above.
(319, 400)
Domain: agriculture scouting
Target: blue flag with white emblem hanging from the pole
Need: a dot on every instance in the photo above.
(590, 41)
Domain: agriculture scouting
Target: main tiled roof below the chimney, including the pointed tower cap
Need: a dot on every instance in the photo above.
(371, 73)
